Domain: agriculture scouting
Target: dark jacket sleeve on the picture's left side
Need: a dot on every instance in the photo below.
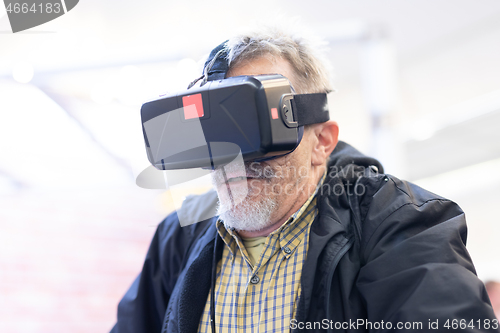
(143, 307)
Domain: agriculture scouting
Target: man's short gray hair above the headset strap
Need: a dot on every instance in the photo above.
(310, 68)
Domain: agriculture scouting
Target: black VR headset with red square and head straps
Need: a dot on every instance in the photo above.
(209, 125)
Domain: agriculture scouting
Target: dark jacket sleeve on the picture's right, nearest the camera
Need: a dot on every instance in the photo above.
(416, 270)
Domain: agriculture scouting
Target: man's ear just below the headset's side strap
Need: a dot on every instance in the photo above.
(327, 136)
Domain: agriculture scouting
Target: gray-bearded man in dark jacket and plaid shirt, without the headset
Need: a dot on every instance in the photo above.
(324, 240)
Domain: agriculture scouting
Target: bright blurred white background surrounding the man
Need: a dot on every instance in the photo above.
(418, 86)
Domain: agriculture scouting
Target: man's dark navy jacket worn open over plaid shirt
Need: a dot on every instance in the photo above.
(381, 250)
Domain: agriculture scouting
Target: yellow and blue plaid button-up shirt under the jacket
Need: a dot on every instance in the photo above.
(261, 298)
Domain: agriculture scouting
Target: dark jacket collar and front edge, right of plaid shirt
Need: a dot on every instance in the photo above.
(332, 230)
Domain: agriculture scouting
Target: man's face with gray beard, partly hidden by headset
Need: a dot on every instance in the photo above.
(257, 194)
